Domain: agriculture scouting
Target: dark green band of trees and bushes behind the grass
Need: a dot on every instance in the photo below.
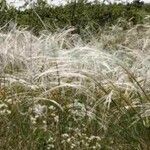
(78, 14)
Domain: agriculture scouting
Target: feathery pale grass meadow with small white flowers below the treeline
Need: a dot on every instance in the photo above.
(60, 91)
